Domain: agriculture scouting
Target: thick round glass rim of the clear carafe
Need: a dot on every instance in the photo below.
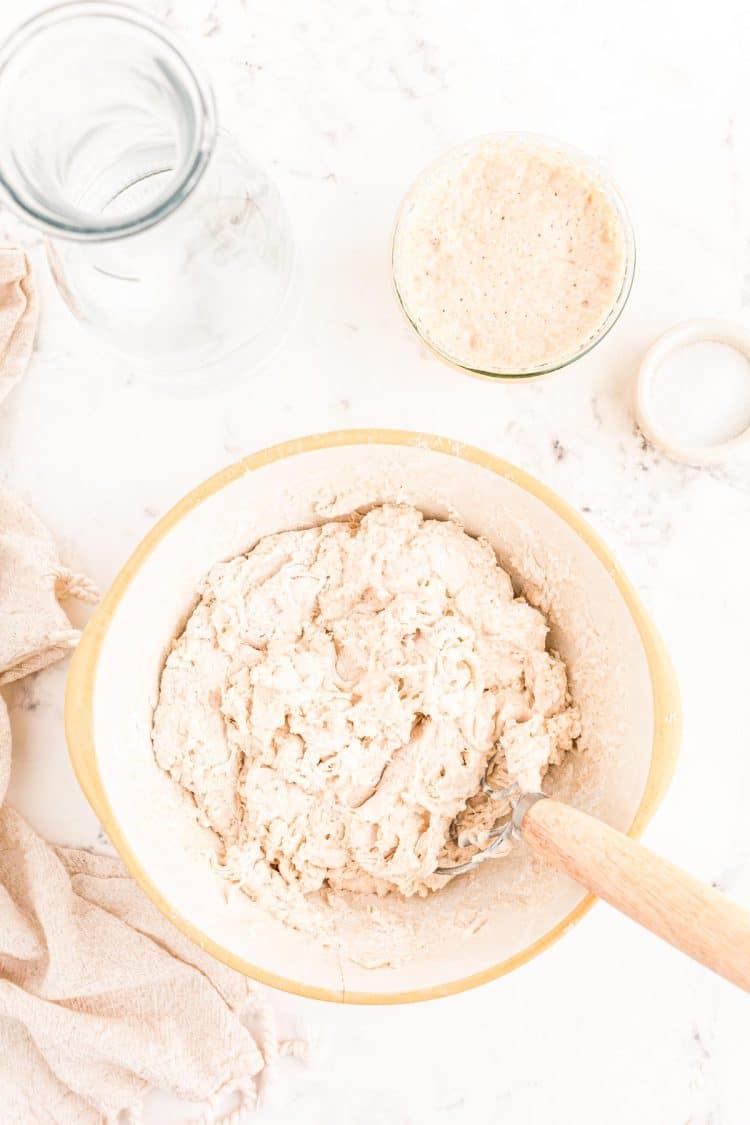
(194, 165)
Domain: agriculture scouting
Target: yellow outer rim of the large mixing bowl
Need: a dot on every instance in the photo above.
(82, 683)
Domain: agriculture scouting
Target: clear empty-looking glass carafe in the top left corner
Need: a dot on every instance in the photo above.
(164, 237)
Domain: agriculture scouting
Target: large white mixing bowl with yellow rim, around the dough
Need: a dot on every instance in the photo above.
(484, 924)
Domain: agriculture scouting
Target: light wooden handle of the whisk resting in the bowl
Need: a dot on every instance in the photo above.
(693, 917)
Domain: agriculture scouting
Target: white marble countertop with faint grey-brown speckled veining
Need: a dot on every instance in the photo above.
(345, 102)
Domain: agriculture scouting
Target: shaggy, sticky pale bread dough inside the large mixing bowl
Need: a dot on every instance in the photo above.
(337, 696)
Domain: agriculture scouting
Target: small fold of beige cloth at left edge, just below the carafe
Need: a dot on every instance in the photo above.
(19, 317)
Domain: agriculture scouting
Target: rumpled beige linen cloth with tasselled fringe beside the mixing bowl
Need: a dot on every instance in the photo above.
(102, 1000)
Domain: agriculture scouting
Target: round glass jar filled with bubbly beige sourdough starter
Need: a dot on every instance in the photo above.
(513, 256)
